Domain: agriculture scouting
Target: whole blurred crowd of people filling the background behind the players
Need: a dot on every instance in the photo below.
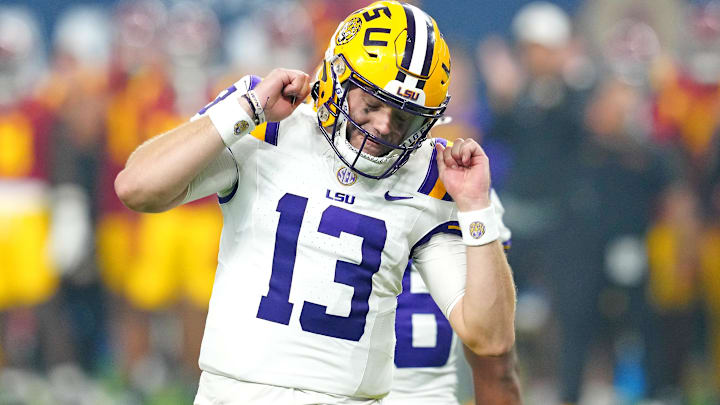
(602, 129)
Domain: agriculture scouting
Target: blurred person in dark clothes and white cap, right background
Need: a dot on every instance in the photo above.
(537, 115)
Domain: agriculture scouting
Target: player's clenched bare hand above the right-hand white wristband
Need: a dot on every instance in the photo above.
(465, 171)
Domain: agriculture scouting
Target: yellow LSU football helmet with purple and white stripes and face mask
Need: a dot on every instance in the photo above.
(396, 53)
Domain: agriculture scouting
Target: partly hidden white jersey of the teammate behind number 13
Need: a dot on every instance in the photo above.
(425, 352)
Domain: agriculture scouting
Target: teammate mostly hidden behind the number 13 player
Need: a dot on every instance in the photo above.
(426, 352)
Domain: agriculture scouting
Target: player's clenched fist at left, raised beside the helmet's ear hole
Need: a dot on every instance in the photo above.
(281, 91)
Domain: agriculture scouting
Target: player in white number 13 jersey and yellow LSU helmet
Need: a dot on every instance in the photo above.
(322, 207)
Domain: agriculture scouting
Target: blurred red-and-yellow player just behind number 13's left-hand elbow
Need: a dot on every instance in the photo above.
(139, 91)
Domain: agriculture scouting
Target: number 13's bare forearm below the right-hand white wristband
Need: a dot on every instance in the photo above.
(487, 311)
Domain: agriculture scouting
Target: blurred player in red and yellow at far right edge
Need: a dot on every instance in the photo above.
(686, 106)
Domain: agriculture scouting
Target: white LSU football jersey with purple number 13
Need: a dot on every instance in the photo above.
(311, 262)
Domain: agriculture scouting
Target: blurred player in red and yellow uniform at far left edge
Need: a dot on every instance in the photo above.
(31, 337)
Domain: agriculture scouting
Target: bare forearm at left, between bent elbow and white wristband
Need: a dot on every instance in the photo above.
(156, 175)
